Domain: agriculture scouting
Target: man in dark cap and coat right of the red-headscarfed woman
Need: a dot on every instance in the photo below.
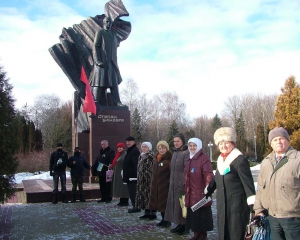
(130, 170)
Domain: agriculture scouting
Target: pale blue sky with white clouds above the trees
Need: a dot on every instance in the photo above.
(205, 51)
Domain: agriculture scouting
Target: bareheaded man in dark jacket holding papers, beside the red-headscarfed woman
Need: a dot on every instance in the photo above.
(105, 157)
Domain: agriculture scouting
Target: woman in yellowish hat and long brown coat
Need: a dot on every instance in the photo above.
(160, 181)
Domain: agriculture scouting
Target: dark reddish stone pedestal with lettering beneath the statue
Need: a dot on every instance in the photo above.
(112, 124)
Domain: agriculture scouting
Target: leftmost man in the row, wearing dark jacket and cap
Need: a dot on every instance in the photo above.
(57, 168)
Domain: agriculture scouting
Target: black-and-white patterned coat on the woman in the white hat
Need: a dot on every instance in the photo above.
(144, 180)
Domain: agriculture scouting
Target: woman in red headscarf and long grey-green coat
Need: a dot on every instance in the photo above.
(120, 190)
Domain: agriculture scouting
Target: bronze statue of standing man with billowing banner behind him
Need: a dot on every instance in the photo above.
(76, 51)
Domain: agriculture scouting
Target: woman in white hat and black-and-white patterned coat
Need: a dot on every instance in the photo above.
(144, 173)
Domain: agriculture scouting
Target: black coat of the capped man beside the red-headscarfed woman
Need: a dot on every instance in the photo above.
(130, 163)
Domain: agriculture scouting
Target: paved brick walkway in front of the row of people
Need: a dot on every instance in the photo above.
(90, 220)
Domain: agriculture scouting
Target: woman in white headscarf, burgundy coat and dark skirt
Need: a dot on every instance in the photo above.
(198, 174)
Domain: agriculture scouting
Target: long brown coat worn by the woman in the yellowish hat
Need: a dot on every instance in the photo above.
(160, 182)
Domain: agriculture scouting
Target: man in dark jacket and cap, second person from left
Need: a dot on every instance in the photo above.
(77, 163)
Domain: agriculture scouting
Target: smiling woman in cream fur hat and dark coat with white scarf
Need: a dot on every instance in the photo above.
(235, 187)
